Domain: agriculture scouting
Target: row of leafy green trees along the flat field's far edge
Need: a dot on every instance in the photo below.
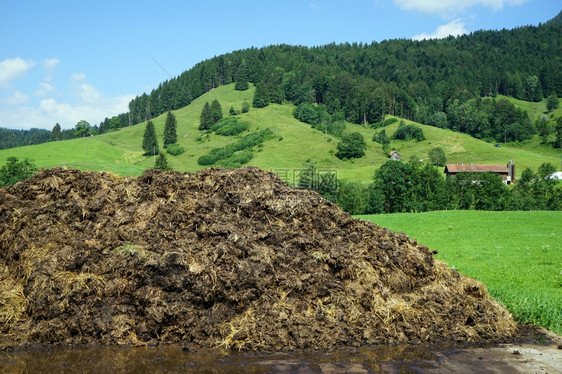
(412, 187)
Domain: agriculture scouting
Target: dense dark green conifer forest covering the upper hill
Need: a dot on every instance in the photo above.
(413, 79)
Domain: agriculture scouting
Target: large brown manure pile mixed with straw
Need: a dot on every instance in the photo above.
(221, 258)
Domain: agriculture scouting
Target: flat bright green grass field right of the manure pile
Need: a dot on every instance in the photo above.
(518, 255)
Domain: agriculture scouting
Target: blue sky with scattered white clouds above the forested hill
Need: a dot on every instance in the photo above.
(62, 61)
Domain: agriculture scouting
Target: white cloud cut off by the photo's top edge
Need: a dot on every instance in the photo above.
(451, 7)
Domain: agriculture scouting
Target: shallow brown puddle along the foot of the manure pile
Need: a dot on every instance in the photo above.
(174, 359)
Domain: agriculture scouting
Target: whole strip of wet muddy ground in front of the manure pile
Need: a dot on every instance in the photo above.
(544, 355)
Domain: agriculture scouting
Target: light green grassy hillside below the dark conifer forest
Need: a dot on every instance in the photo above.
(293, 144)
